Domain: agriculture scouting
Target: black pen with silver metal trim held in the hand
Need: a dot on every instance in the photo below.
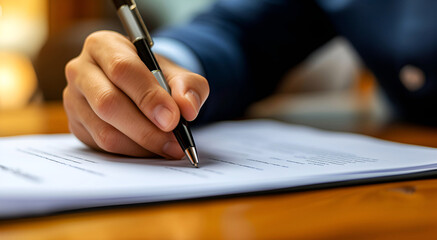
(133, 24)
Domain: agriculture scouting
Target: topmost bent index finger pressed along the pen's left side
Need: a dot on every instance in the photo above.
(120, 62)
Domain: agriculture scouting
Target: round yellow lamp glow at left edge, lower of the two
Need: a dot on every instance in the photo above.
(17, 80)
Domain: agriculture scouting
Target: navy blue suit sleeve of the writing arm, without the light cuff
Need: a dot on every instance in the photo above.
(246, 46)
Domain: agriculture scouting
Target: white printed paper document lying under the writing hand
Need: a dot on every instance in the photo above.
(47, 173)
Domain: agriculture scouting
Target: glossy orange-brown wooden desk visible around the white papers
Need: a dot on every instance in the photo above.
(400, 210)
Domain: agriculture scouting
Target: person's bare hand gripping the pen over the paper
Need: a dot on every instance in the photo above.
(114, 103)
